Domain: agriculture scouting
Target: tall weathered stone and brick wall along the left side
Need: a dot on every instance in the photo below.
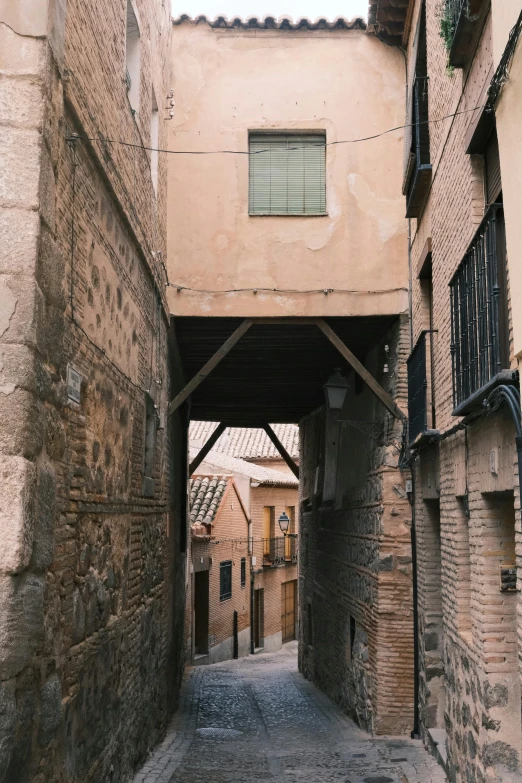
(91, 583)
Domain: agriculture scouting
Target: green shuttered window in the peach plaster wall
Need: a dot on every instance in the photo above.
(287, 174)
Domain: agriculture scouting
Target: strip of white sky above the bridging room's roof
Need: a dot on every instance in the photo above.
(294, 8)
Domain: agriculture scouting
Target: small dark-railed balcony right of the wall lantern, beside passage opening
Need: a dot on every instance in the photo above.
(420, 394)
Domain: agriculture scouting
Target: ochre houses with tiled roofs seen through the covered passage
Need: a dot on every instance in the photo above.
(271, 560)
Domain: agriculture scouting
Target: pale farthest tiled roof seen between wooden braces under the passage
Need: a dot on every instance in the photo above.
(245, 443)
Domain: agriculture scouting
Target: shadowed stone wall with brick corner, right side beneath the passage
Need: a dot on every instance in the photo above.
(356, 604)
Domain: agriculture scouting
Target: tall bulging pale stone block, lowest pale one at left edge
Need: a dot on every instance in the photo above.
(17, 513)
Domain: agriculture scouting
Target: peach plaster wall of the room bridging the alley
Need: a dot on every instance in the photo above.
(227, 82)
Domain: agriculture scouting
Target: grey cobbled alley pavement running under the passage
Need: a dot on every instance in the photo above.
(257, 720)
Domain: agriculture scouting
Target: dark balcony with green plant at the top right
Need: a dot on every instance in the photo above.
(463, 20)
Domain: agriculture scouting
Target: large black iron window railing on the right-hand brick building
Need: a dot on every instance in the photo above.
(479, 330)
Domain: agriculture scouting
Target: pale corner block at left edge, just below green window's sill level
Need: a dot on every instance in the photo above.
(19, 230)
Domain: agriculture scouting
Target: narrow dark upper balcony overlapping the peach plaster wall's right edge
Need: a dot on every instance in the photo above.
(419, 172)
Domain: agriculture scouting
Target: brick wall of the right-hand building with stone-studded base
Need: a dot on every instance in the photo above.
(468, 521)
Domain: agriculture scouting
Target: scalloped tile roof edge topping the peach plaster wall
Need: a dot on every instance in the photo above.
(273, 23)
